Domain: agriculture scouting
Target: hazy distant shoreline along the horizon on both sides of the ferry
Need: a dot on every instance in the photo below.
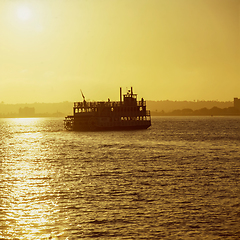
(157, 108)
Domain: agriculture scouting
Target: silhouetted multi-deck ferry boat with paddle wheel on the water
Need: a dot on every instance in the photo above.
(126, 114)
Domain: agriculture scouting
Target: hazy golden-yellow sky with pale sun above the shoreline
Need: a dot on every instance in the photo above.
(165, 49)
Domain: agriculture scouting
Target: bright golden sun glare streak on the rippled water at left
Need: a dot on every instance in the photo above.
(25, 183)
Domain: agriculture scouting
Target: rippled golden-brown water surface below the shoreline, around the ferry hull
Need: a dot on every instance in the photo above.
(178, 179)
